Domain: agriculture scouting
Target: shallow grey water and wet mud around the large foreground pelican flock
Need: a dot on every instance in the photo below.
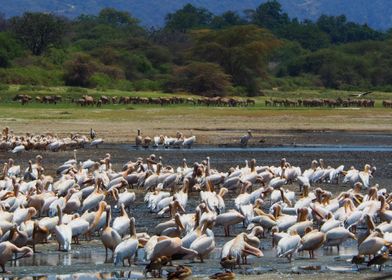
(87, 261)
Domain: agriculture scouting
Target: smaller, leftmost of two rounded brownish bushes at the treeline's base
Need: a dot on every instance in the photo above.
(79, 70)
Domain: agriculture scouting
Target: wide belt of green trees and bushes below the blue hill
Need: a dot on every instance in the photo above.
(246, 55)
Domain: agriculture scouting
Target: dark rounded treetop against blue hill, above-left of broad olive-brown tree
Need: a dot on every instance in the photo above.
(188, 17)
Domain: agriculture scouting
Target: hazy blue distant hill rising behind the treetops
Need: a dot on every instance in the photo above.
(376, 13)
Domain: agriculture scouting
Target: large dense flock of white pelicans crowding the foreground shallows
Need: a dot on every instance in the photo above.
(289, 206)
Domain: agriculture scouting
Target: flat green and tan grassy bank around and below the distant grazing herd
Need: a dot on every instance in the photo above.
(211, 125)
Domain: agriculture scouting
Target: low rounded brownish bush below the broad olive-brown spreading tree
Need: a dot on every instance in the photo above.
(202, 78)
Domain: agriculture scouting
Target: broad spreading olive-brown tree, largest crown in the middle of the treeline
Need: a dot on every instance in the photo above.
(242, 51)
